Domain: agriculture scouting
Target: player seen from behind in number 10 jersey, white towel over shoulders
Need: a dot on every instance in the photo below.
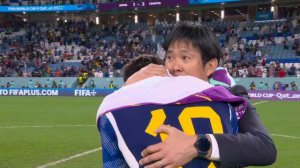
(209, 114)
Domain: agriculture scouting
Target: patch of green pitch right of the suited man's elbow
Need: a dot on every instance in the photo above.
(282, 120)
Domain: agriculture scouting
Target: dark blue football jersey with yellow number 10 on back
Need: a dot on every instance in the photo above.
(127, 131)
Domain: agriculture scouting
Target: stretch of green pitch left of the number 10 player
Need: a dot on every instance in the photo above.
(64, 127)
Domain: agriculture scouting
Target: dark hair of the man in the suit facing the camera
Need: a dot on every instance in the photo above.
(200, 36)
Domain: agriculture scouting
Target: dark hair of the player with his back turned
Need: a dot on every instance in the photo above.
(138, 63)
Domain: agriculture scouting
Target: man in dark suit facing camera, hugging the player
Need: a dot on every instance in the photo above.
(193, 50)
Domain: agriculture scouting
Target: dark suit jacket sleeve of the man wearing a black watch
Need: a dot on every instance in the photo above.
(252, 146)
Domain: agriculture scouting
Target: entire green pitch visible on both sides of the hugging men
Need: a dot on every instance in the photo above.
(38, 131)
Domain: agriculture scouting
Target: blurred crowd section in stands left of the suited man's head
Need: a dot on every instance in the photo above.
(101, 51)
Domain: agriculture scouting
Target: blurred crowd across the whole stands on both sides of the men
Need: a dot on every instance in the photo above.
(72, 48)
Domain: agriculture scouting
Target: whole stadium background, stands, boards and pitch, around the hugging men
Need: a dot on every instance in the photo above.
(58, 58)
